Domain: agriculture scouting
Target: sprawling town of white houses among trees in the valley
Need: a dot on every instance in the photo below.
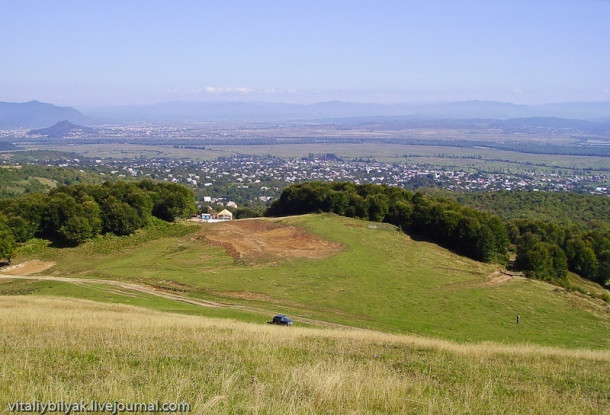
(261, 178)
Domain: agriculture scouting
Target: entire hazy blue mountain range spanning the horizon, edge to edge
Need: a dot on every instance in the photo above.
(36, 114)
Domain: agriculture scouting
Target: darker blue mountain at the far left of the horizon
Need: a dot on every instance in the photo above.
(35, 114)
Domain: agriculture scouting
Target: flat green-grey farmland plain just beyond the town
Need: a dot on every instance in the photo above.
(486, 159)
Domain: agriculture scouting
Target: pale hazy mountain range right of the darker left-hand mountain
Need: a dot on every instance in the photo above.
(181, 111)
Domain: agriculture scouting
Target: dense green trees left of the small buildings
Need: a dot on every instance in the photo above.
(75, 213)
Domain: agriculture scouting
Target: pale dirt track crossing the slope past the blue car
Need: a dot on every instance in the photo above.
(140, 288)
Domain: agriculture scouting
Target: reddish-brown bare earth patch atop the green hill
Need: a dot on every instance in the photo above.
(259, 239)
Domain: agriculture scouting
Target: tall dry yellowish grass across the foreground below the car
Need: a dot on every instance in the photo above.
(62, 349)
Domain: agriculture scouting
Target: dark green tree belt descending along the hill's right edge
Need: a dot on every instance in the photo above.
(544, 249)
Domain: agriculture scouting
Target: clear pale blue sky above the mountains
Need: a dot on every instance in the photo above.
(140, 52)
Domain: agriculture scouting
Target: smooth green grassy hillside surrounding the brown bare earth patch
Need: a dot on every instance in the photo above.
(380, 279)
